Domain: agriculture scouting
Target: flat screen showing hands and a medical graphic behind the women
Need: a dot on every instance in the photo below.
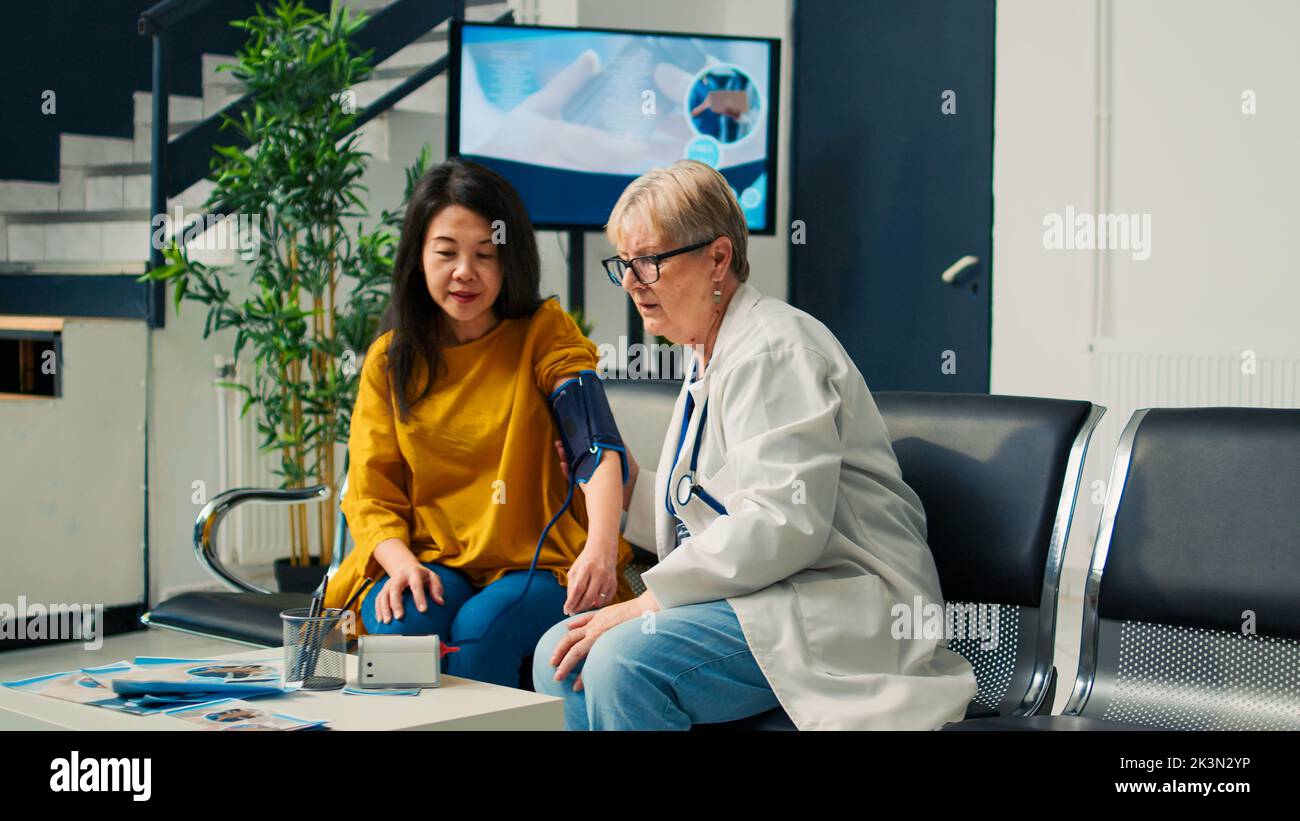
(573, 116)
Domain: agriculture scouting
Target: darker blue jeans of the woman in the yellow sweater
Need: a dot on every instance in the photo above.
(467, 615)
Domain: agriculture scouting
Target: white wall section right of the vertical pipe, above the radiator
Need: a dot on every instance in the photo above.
(1221, 186)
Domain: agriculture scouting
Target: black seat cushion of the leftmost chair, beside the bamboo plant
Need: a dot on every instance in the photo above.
(252, 618)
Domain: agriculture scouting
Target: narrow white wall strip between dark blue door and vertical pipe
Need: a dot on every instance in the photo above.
(1043, 144)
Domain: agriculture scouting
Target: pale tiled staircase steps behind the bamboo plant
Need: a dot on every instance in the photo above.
(96, 220)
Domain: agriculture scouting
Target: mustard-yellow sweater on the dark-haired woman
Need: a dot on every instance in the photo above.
(473, 477)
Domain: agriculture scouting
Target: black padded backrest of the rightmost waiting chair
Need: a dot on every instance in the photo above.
(1210, 523)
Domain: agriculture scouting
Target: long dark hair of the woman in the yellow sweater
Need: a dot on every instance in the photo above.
(415, 320)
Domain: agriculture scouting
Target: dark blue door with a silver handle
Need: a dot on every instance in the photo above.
(892, 180)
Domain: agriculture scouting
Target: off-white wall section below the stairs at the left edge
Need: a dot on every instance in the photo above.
(72, 470)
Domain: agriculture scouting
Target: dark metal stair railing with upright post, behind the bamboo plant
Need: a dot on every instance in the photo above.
(180, 163)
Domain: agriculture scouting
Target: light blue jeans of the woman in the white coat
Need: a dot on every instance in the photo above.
(668, 671)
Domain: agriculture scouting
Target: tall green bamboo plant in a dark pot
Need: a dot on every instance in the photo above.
(315, 289)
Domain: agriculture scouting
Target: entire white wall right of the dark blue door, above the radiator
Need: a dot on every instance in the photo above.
(1219, 185)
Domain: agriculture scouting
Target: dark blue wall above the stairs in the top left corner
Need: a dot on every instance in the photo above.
(89, 54)
